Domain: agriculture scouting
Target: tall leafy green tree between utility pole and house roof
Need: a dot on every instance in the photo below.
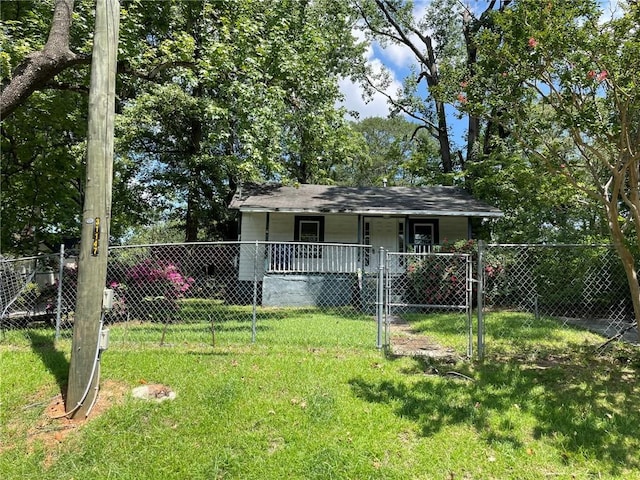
(251, 88)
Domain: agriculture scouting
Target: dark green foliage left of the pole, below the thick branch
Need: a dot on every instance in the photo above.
(38, 157)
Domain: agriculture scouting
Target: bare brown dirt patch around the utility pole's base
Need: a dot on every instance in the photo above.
(53, 426)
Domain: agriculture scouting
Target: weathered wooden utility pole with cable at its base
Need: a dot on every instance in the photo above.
(84, 371)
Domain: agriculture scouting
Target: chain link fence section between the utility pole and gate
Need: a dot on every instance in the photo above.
(208, 293)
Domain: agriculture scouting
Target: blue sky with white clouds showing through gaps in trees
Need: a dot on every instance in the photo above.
(398, 60)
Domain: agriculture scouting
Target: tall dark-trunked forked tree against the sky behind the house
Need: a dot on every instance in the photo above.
(441, 41)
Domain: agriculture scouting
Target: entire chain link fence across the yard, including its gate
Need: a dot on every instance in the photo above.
(527, 296)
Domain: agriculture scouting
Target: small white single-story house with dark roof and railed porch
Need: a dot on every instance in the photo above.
(333, 218)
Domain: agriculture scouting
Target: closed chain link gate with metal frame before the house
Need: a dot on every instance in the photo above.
(427, 304)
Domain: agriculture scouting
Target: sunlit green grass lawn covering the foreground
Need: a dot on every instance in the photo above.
(314, 399)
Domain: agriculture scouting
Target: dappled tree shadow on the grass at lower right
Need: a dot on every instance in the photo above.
(585, 407)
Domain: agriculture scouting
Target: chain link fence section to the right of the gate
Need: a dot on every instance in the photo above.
(540, 297)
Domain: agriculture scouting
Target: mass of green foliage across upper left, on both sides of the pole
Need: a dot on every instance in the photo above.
(209, 94)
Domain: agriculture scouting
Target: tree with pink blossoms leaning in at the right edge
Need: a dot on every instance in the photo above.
(567, 77)
